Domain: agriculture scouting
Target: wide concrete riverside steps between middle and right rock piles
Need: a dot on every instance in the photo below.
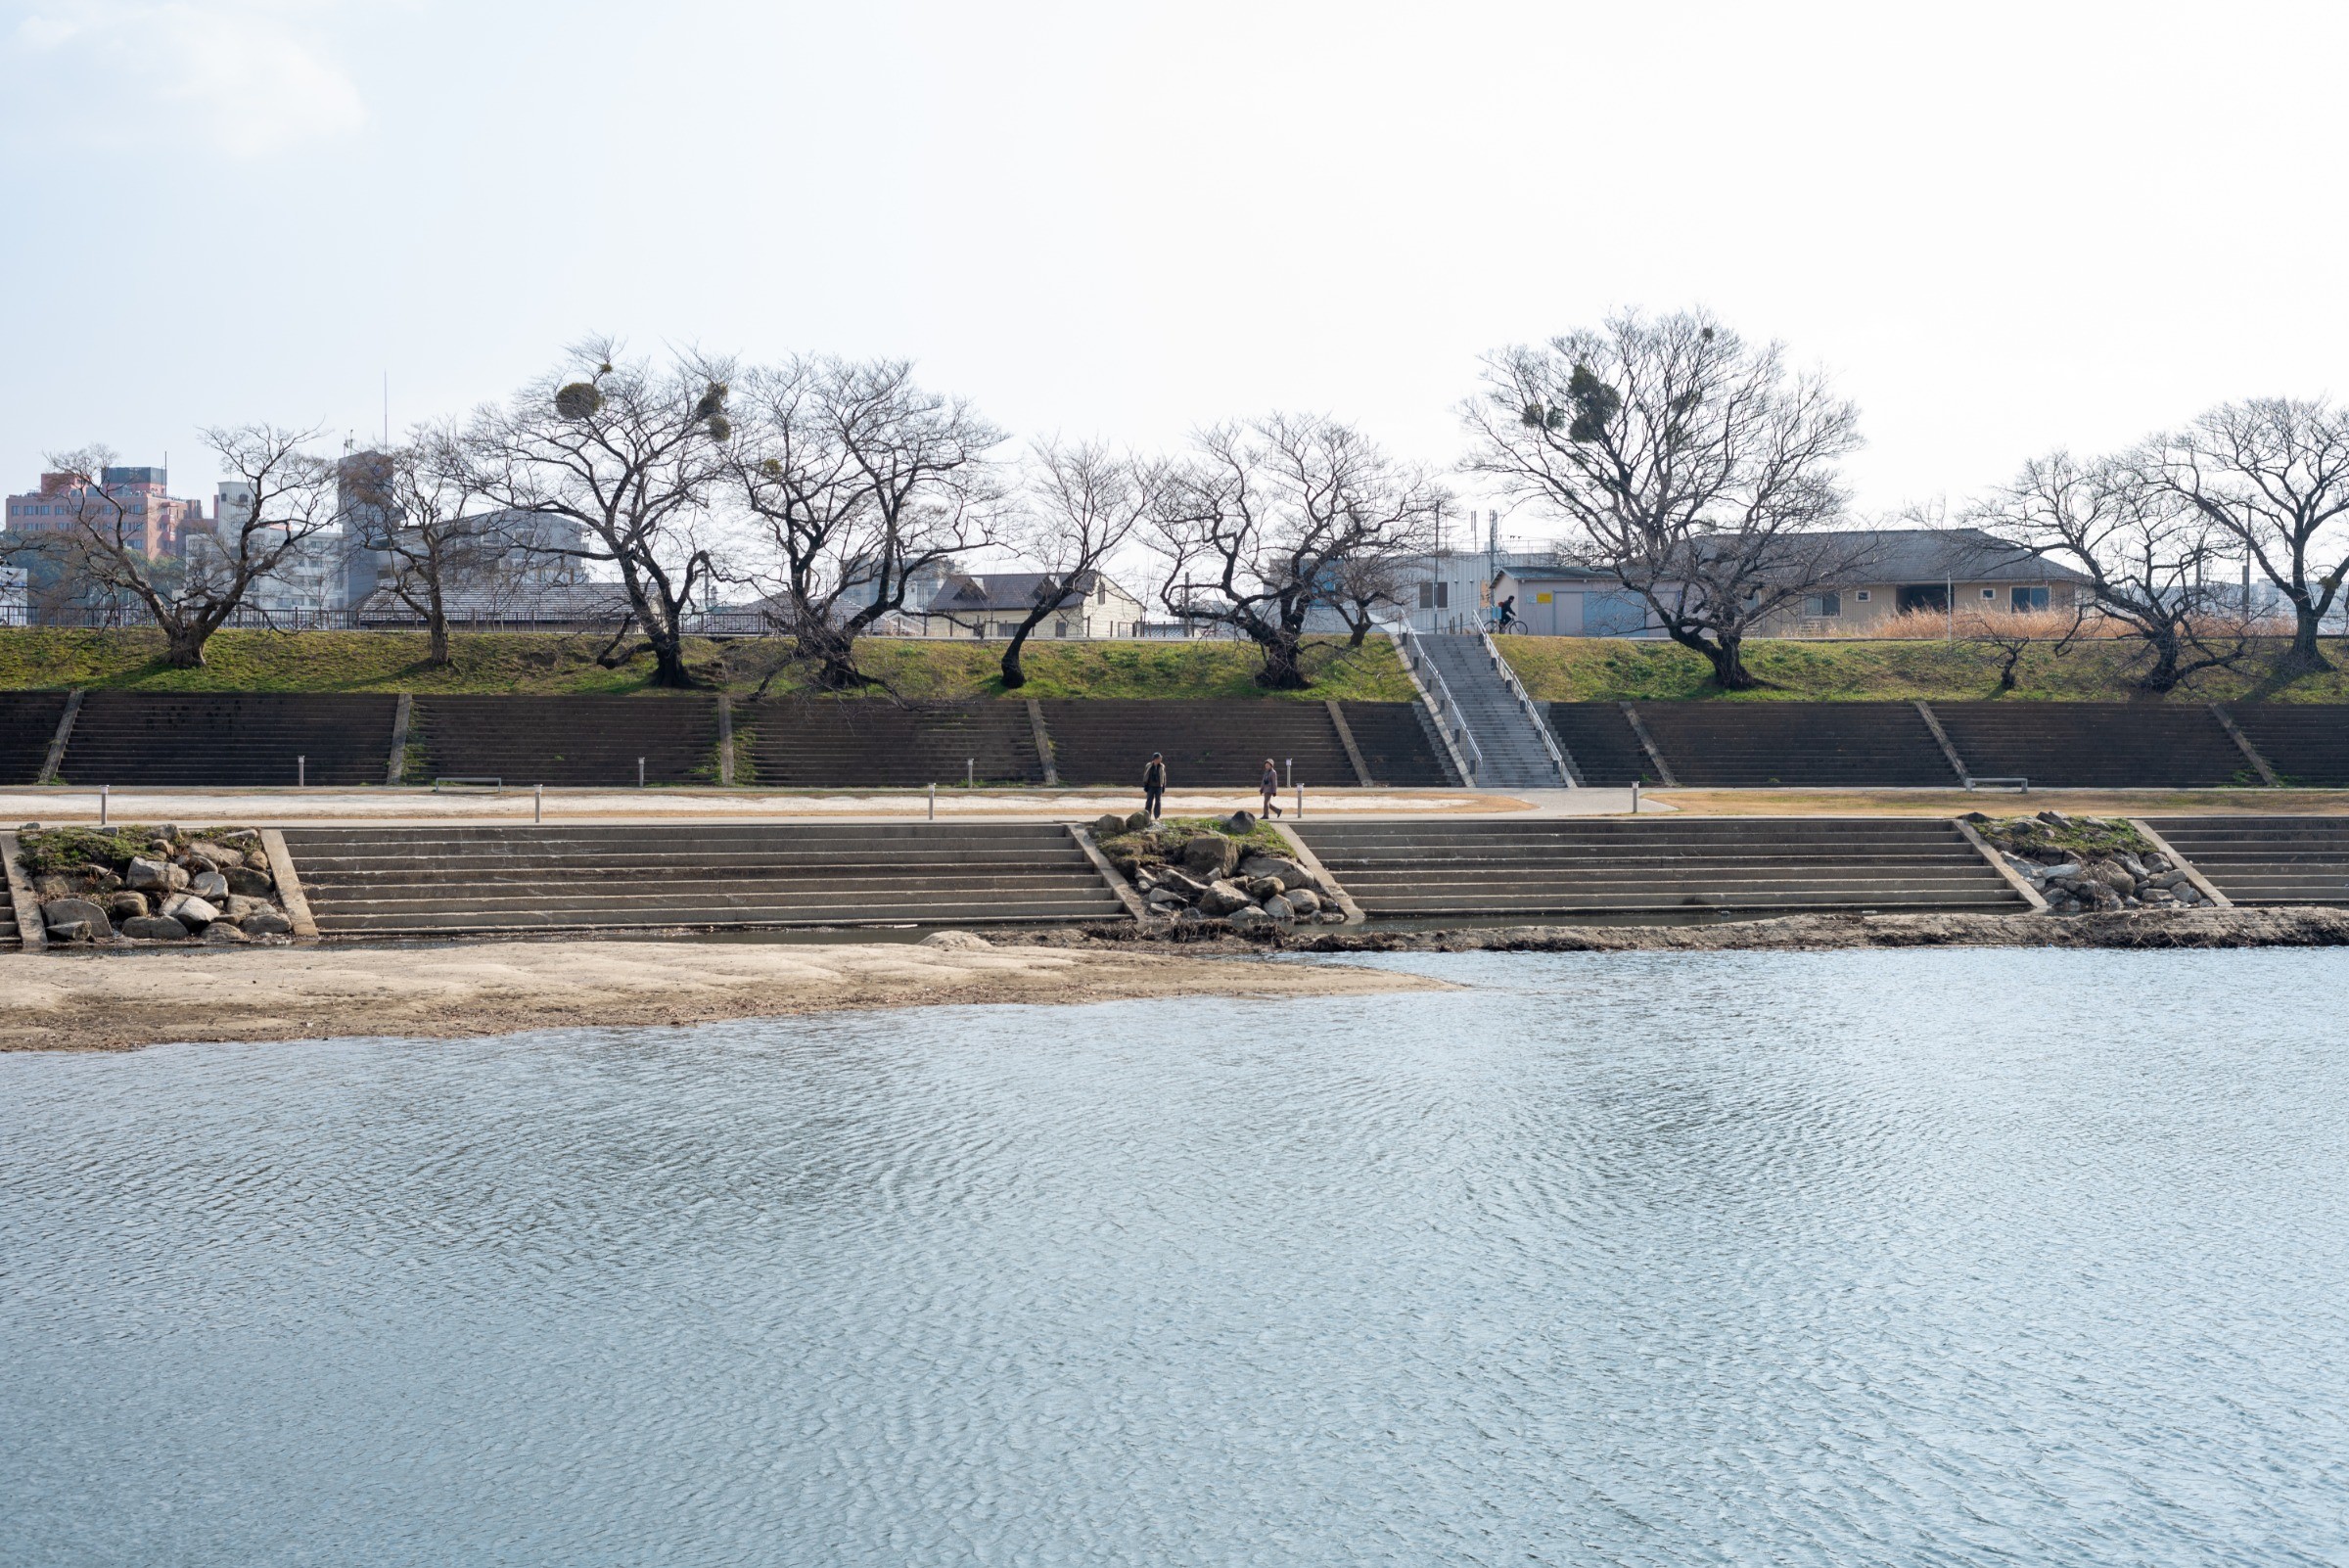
(1606, 867)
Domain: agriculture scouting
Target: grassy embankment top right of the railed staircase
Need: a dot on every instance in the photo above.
(1617, 670)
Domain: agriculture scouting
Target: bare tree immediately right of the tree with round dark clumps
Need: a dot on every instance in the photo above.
(861, 485)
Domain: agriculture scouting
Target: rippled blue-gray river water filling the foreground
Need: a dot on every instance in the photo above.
(1613, 1259)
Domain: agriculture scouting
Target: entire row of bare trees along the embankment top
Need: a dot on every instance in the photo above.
(1690, 468)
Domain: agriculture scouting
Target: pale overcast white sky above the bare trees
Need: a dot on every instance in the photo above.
(2003, 229)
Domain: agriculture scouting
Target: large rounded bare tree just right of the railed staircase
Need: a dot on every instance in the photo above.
(1695, 471)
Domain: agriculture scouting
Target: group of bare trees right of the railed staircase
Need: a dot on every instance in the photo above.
(1702, 475)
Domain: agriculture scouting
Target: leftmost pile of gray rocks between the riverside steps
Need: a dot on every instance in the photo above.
(217, 888)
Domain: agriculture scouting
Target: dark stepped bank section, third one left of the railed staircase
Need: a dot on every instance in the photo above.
(863, 743)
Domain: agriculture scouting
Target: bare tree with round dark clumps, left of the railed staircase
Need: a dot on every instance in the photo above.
(631, 452)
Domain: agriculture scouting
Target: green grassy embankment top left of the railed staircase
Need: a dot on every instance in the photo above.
(546, 663)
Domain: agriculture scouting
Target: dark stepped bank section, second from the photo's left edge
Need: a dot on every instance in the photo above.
(229, 741)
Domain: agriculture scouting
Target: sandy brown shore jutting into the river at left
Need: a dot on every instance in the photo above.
(97, 1003)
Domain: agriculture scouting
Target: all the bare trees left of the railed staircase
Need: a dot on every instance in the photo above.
(821, 492)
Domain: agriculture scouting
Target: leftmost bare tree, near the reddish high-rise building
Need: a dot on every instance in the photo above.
(283, 501)
